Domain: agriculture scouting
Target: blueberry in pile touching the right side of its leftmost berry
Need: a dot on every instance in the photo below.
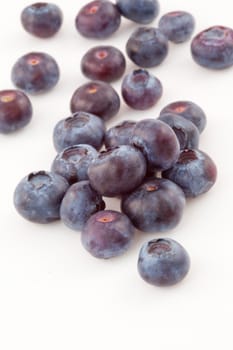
(79, 203)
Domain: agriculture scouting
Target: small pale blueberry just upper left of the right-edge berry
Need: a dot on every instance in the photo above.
(177, 26)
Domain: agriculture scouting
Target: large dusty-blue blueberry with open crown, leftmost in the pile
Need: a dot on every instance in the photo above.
(38, 196)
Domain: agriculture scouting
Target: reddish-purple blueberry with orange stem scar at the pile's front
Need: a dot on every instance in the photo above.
(107, 234)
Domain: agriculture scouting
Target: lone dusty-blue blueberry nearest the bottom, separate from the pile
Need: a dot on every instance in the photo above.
(163, 262)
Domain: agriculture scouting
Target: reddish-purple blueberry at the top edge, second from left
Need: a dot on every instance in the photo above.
(98, 19)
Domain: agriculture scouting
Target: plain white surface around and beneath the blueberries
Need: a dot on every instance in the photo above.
(53, 294)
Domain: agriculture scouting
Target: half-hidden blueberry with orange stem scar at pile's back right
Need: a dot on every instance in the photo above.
(188, 110)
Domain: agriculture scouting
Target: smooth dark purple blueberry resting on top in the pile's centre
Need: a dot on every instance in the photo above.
(117, 171)
